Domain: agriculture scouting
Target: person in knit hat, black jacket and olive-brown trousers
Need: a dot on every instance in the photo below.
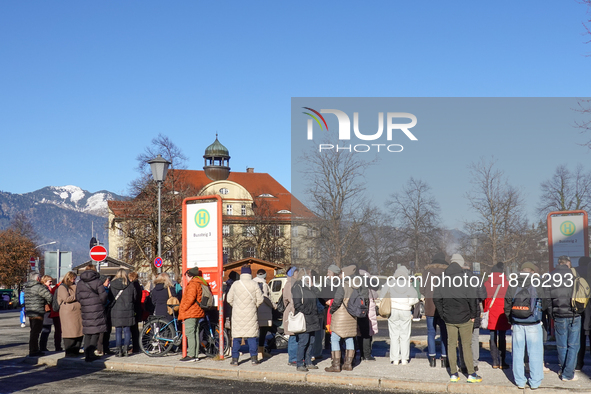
(457, 305)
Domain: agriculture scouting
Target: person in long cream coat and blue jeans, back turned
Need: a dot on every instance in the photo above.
(245, 296)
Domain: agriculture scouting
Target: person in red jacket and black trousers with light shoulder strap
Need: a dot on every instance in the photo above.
(497, 321)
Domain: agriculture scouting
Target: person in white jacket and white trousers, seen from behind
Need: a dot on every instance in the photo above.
(403, 296)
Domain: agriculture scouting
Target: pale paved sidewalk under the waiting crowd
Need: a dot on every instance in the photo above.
(416, 376)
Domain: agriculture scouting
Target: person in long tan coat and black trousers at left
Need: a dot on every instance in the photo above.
(70, 315)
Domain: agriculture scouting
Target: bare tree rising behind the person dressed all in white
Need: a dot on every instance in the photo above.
(416, 212)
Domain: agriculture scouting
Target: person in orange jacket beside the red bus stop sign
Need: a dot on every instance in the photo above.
(190, 312)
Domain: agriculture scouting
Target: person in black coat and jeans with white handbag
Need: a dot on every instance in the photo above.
(305, 301)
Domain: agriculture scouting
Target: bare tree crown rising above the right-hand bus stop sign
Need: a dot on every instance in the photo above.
(566, 191)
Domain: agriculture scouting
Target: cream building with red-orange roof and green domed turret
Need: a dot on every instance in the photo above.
(260, 217)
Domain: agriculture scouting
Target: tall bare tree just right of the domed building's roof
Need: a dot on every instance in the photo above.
(336, 190)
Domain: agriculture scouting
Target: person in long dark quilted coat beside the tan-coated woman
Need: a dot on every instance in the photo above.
(92, 296)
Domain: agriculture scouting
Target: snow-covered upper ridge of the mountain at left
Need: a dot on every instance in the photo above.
(74, 198)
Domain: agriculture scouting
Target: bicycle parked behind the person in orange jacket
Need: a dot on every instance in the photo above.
(159, 336)
